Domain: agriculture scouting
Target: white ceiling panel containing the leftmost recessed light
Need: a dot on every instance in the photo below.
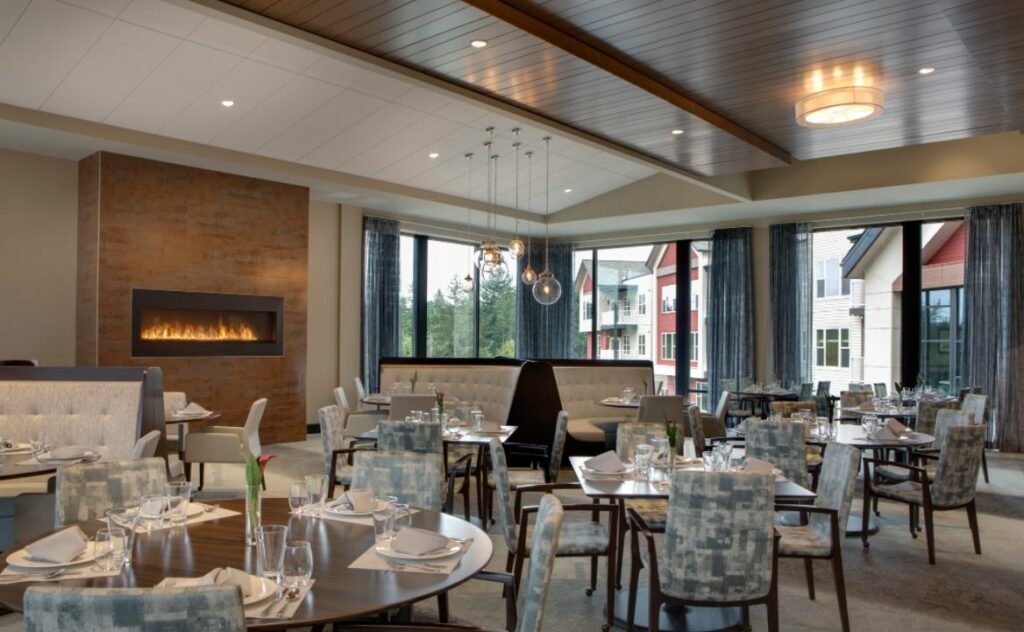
(248, 85)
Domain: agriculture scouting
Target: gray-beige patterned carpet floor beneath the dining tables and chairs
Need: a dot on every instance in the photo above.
(890, 586)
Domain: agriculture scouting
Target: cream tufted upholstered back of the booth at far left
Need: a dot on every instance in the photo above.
(94, 414)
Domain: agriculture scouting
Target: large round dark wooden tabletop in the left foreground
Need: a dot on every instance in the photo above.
(340, 594)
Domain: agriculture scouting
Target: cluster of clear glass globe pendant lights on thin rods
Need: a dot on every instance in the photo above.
(488, 258)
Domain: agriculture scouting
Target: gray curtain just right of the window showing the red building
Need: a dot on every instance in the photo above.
(731, 310)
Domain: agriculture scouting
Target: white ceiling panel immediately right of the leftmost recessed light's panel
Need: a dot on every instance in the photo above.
(297, 100)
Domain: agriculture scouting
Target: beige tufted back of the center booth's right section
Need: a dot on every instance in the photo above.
(580, 389)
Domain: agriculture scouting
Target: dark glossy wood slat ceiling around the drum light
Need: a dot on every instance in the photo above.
(749, 61)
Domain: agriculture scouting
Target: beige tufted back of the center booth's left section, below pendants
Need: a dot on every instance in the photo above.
(491, 389)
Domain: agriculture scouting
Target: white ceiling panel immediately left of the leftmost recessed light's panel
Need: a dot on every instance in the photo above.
(185, 76)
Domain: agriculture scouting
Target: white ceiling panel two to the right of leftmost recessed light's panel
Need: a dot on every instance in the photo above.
(338, 115)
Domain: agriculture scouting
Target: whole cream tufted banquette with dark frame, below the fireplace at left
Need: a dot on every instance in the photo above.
(104, 408)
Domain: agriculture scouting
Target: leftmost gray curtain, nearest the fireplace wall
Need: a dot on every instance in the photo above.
(381, 288)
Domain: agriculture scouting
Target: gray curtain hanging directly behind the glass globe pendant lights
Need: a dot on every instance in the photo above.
(546, 331)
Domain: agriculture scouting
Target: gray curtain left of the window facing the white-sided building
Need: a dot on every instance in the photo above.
(791, 267)
